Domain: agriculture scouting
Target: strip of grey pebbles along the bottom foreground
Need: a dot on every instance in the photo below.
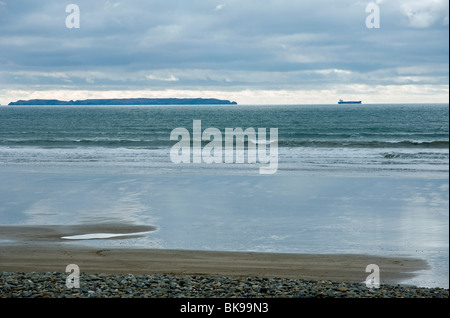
(53, 285)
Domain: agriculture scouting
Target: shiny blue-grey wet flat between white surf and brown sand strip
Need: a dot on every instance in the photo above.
(306, 216)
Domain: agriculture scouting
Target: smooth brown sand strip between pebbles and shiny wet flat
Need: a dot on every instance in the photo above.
(333, 267)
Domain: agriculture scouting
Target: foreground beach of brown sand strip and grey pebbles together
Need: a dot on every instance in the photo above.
(35, 270)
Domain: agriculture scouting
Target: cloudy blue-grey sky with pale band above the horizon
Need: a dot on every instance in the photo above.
(248, 51)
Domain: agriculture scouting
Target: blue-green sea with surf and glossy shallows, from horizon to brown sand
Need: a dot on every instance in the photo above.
(347, 179)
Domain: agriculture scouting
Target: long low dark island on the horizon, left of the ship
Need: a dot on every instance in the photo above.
(128, 101)
